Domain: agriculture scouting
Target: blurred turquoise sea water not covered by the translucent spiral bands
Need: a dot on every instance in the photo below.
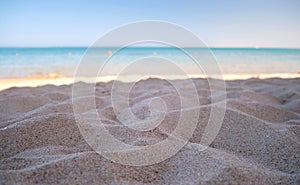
(23, 62)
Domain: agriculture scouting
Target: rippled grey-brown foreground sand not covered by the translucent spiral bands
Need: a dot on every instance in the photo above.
(258, 142)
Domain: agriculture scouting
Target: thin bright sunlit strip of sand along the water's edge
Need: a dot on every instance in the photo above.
(54, 79)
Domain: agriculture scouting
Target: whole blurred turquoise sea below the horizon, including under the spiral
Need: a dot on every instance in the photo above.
(66, 61)
